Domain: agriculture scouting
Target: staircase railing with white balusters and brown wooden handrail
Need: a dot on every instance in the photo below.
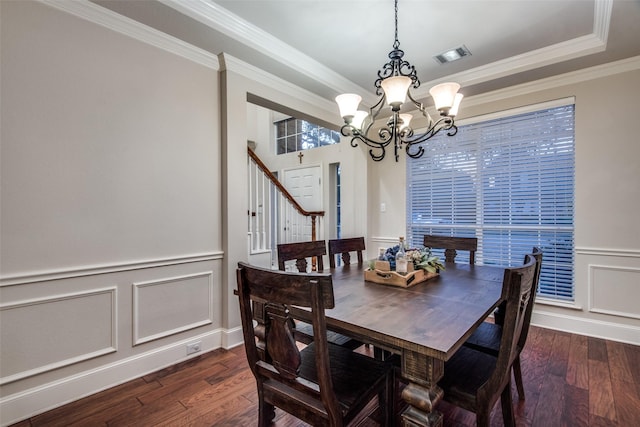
(274, 216)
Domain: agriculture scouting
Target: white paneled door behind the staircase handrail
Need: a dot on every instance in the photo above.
(305, 185)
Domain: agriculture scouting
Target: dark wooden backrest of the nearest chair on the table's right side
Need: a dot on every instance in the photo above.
(517, 286)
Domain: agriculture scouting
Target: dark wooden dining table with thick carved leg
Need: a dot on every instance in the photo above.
(424, 324)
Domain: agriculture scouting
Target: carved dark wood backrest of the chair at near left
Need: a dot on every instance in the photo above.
(274, 358)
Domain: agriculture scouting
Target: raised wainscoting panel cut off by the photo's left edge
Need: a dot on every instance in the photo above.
(56, 331)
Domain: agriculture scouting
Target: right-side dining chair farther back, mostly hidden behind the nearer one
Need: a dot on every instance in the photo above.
(488, 336)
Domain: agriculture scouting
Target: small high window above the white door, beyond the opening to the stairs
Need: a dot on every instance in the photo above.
(297, 135)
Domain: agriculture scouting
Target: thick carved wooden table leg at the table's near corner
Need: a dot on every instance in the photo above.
(422, 393)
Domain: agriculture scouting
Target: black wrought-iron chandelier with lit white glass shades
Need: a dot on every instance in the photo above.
(392, 85)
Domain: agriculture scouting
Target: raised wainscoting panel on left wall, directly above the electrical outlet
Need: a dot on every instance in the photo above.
(172, 305)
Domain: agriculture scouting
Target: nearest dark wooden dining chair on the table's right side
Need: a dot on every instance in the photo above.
(474, 380)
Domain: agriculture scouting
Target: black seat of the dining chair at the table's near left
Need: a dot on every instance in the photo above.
(353, 374)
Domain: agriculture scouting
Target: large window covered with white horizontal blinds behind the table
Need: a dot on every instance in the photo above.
(509, 182)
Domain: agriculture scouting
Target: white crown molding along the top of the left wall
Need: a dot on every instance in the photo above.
(123, 25)
